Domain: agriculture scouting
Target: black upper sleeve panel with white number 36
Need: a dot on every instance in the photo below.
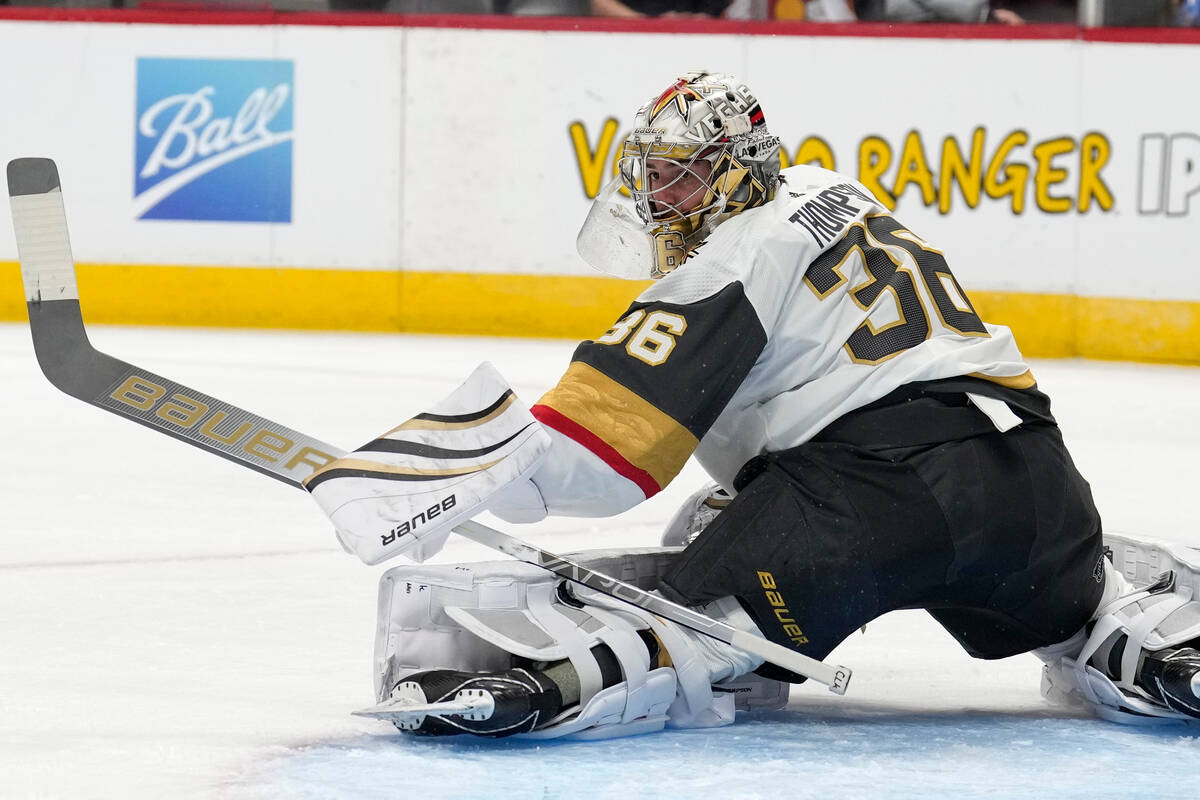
(686, 359)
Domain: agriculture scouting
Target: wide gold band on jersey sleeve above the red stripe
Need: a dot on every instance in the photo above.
(640, 432)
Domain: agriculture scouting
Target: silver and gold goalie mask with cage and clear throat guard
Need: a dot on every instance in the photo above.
(700, 153)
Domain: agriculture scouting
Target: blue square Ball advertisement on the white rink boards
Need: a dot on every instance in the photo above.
(214, 140)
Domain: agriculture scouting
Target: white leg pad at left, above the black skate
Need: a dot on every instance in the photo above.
(478, 617)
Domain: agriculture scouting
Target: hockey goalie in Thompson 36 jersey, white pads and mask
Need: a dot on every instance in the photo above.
(874, 446)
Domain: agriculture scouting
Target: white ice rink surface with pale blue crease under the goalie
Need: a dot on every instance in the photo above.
(176, 627)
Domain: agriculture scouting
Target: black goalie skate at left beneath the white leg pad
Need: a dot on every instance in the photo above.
(490, 705)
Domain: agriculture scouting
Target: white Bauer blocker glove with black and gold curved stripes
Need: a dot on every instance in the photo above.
(403, 494)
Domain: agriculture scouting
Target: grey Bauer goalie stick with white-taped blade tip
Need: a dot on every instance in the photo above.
(76, 368)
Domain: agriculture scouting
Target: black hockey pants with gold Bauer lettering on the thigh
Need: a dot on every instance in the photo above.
(914, 502)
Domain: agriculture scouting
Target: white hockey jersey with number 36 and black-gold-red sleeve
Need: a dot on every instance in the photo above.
(788, 317)
